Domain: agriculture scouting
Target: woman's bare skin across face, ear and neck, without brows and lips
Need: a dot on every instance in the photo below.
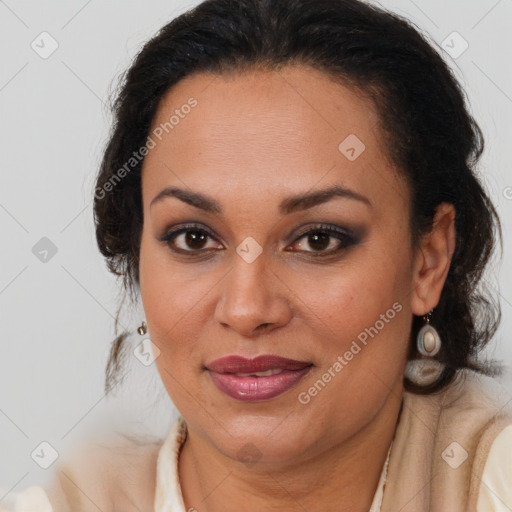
(253, 139)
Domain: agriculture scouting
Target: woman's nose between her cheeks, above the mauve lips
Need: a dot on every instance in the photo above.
(253, 299)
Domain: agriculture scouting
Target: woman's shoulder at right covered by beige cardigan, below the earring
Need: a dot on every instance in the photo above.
(445, 439)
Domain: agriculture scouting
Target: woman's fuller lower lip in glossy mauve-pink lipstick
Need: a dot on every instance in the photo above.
(252, 389)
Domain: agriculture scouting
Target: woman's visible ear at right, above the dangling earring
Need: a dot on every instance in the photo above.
(432, 261)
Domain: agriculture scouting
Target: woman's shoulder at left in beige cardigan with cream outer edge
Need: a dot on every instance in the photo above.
(118, 473)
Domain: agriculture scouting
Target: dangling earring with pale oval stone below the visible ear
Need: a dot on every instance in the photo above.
(427, 370)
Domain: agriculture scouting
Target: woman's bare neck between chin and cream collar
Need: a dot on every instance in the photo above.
(345, 477)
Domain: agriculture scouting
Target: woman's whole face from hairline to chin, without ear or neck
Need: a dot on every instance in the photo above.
(248, 162)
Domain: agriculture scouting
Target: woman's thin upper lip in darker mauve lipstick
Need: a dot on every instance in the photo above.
(238, 364)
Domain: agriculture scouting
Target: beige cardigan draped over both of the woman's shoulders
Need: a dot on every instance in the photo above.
(436, 462)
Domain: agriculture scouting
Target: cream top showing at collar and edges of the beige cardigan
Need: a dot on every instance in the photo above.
(495, 492)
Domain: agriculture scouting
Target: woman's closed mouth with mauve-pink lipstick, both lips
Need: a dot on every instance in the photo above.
(256, 379)
